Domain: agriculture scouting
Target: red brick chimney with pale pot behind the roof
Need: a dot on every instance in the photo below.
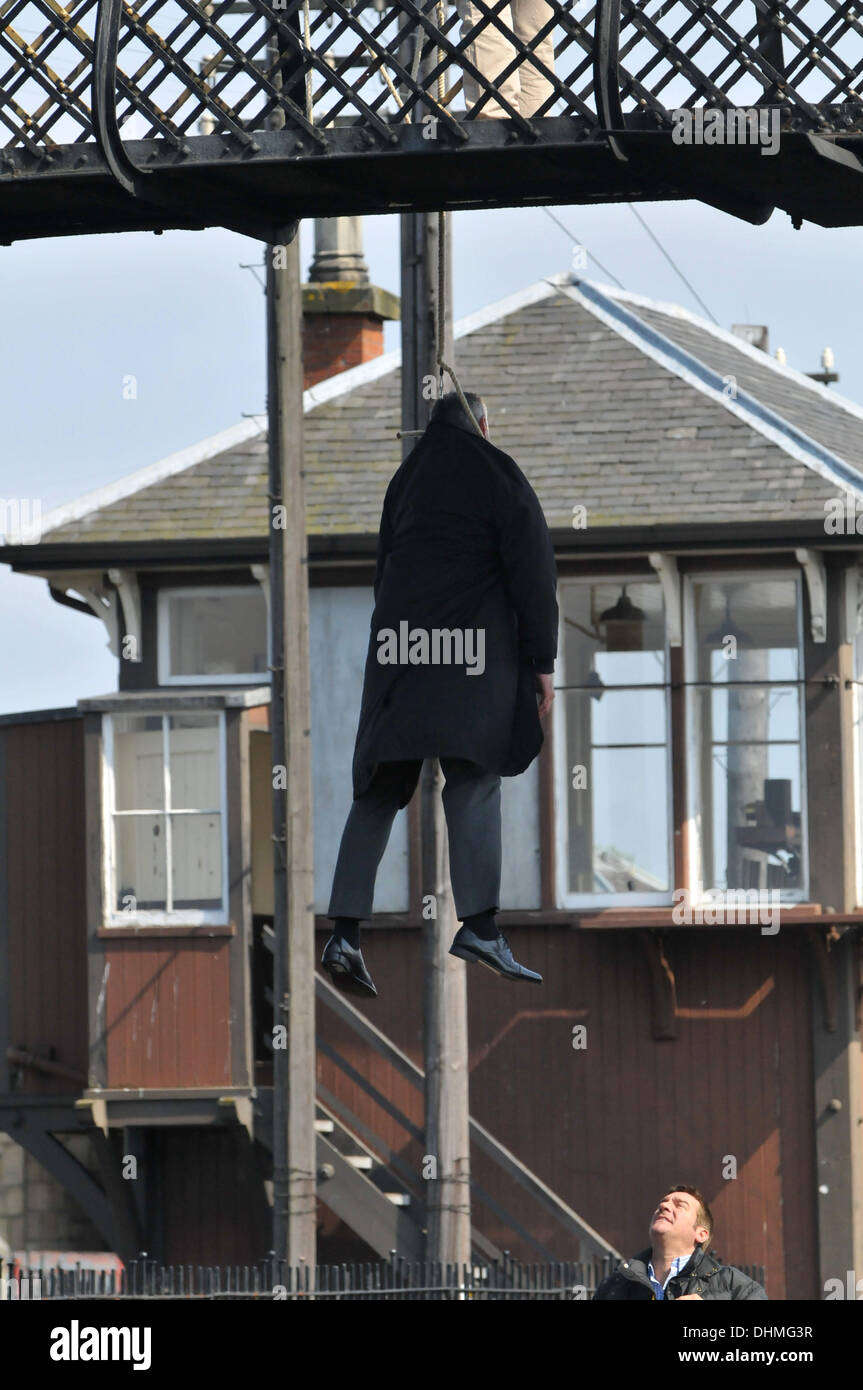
(344, 313)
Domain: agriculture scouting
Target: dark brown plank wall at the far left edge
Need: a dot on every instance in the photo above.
(44, 856)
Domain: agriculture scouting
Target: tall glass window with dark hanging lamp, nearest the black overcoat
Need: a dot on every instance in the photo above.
(615, 746)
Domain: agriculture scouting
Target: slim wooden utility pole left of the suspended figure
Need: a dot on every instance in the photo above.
(294, 1139)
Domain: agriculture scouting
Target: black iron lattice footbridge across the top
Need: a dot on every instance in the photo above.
(161, 115)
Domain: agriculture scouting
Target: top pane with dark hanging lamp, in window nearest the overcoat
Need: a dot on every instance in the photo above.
(615, 633)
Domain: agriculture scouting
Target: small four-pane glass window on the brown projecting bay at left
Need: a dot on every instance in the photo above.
(166, 853)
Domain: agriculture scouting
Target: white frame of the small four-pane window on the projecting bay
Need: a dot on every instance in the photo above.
(152, 918)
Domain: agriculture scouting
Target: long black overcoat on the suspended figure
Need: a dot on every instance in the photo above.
(463, 548)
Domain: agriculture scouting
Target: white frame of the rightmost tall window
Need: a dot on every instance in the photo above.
(697, 858)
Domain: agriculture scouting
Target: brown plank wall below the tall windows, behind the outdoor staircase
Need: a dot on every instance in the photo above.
(611, 1127)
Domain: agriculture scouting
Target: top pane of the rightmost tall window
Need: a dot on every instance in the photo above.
(747, 630)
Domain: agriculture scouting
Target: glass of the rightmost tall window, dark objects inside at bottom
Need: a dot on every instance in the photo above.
(746, 675)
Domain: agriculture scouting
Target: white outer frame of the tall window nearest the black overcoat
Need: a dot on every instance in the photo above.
(565, 899)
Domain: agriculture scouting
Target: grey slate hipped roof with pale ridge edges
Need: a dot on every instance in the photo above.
(604, 400)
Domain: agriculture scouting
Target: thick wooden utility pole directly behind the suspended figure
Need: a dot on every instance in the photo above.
(445, 986)
